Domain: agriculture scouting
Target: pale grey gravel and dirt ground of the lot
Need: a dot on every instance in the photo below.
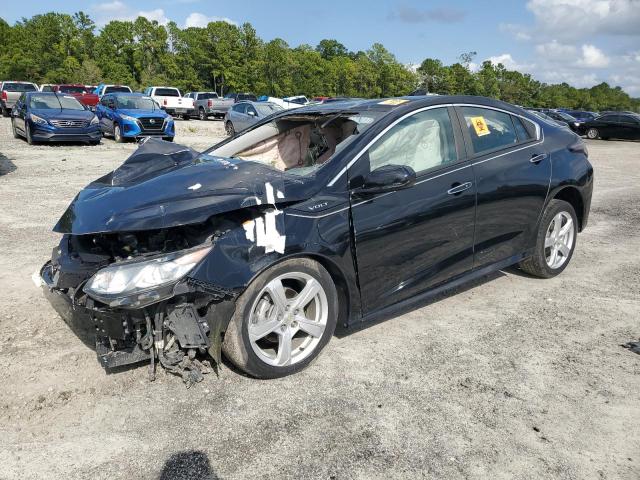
(512, 377)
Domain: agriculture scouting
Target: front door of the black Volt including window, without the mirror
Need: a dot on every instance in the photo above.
(411, 239)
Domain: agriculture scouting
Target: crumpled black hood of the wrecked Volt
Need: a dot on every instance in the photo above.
(166, 185)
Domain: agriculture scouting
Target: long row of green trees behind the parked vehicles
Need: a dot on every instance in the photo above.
(56, 47)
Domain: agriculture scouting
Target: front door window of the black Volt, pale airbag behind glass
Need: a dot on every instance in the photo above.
(422, 141)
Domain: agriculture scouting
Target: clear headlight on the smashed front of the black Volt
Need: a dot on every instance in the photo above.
(145, 281)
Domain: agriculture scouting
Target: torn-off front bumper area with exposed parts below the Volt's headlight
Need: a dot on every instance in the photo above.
(177, 332)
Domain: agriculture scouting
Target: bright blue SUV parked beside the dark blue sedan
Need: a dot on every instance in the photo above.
(133, 115)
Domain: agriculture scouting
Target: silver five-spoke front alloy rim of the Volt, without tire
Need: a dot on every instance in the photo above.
(288, 319)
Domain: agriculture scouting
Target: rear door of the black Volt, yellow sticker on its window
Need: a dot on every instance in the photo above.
(513, 171)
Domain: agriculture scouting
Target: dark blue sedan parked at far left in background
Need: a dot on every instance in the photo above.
(53, 117)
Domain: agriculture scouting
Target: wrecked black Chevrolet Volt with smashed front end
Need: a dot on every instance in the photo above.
(324, 215)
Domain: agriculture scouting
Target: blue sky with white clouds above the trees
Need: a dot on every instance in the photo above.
(581, 42)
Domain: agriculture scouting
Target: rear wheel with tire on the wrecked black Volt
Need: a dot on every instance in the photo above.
(556, 218)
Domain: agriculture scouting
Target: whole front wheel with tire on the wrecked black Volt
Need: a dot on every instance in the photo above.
(256, 311)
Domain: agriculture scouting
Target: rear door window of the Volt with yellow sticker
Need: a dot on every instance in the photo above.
(489, 129)
